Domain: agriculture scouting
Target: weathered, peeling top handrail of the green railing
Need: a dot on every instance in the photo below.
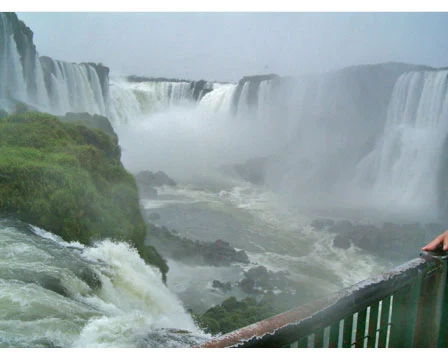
(294, 324)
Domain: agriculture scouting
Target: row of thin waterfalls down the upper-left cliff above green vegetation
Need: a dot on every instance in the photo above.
(45, 84)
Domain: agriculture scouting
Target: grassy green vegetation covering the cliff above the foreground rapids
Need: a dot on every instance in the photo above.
(69, 180)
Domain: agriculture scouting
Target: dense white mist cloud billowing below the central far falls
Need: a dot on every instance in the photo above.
(192, 140)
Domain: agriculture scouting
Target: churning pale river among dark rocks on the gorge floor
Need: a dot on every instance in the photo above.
(256, 221)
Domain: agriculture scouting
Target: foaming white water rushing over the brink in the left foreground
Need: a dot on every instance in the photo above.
(132, 308)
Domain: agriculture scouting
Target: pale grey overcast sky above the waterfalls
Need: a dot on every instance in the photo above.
(226, 46)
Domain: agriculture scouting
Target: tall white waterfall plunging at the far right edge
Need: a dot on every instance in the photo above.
(403, 168)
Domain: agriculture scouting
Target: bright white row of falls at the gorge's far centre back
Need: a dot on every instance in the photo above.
(134, 100)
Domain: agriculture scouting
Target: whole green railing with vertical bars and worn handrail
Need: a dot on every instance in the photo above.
(405, 307)
